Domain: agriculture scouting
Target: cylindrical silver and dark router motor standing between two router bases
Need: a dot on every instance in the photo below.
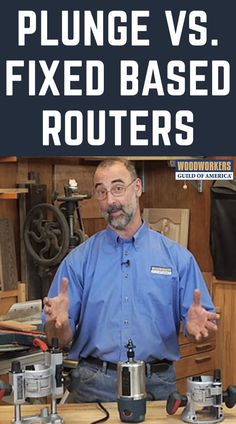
(131, 388)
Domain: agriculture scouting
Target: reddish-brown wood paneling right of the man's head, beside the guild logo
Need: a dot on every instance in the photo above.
(163, 191)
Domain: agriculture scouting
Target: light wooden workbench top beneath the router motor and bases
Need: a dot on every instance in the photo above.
(86, 413)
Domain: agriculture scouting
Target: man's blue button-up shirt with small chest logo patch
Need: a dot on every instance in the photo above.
(120, 289)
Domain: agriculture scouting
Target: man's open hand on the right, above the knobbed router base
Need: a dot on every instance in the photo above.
(200, 322)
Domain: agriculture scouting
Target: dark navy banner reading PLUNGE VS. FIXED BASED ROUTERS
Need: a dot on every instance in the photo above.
(97, 78)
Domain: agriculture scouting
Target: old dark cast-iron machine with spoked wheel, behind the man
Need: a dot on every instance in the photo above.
(50, 232)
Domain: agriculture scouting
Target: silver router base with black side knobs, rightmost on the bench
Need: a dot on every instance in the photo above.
(204, 399)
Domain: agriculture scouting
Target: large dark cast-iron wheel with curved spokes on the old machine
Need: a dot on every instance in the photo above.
(46, 234)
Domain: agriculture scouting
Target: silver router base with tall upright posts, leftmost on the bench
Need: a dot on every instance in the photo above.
(33, 382)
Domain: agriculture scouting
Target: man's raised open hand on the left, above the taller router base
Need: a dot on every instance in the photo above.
(57, 307)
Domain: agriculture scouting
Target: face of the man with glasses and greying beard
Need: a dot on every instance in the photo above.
(117, 210)
